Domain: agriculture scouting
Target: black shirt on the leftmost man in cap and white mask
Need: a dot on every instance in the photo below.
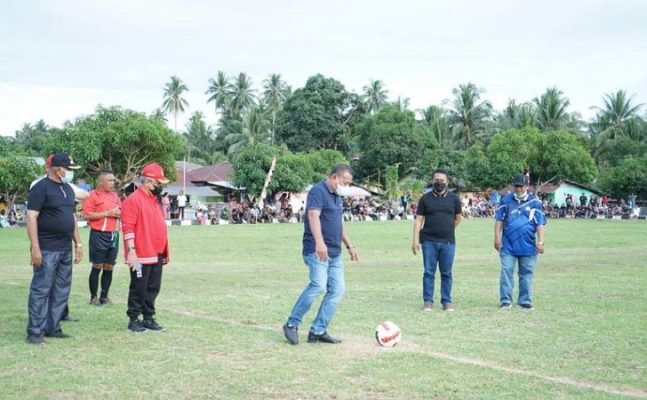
(55, 203)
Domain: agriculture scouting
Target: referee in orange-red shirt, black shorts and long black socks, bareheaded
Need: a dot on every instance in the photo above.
(102, 211)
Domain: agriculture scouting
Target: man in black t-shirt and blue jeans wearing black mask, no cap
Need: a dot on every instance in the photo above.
(438, 214)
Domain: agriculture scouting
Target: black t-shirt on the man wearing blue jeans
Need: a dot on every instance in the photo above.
(439, 213)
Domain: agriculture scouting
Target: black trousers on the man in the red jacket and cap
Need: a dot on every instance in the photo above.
(143, 291)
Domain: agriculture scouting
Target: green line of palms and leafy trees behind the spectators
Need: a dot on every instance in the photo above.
(382, 138)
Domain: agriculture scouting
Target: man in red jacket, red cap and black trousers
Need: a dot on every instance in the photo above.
(146, 247)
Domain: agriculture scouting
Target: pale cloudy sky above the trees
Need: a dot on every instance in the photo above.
(59, 59)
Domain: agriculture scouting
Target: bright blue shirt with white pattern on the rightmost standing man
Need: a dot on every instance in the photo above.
(520, 220)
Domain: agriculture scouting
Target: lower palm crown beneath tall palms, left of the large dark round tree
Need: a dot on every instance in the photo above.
(254, 128)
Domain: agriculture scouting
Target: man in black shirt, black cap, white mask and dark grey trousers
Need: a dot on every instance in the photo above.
(51, 226)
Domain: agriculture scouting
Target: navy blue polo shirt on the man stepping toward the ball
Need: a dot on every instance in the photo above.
(330, 205)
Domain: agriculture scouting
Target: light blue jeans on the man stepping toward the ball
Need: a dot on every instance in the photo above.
(324, 276)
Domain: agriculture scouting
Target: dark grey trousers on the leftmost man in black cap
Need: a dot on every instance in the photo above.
(49, 292)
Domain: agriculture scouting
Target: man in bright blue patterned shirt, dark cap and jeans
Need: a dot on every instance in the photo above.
(518, 236)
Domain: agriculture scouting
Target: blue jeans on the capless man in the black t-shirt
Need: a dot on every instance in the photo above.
(439, 254)
